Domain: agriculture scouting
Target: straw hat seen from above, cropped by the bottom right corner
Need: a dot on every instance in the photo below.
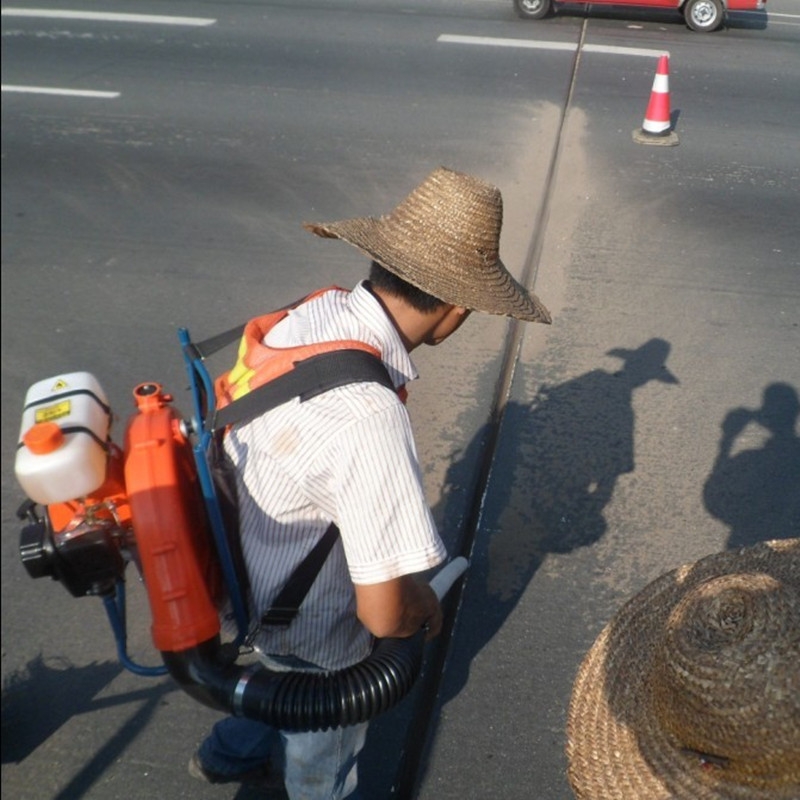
(692, 691)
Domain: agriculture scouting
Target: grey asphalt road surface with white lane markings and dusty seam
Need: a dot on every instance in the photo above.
(573, 464)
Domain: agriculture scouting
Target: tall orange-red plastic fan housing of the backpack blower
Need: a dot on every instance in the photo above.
(173, 539)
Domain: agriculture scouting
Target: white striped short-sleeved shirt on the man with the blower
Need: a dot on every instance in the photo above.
(348, 456)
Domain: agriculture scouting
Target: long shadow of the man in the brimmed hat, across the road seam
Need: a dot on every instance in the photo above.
(554, 470)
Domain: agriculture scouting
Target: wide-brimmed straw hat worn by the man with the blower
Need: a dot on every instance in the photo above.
(444, 238)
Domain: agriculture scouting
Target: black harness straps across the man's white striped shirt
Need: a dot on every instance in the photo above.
(310, 377)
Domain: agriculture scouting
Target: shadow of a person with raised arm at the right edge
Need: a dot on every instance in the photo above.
(755, 490)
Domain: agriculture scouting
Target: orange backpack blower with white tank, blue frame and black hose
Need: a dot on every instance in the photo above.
(93, 507)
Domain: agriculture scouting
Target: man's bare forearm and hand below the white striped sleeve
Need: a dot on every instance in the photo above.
(399, 608)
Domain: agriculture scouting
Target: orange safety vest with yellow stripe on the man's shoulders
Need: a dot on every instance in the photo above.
(258, 363)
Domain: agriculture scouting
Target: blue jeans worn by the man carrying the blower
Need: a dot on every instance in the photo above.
(320, 765)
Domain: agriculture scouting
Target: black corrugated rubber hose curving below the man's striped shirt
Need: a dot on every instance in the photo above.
(300, 701)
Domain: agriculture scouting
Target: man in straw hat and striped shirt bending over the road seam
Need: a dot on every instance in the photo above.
(348, 456)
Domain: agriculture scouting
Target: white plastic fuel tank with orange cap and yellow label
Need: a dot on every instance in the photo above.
(62, 453)
